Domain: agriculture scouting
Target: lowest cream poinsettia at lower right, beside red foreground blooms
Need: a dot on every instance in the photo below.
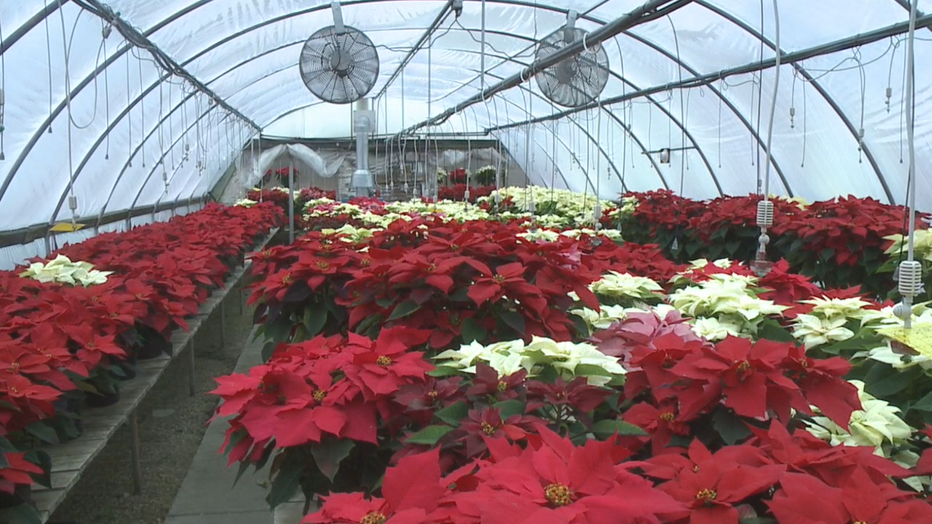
(877, 425)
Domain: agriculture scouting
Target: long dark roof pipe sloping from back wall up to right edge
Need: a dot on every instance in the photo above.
(698, 81)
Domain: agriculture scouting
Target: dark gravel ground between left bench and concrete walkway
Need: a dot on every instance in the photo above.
(171, 425)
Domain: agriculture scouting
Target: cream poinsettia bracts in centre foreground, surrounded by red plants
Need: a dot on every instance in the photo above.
(569, 359)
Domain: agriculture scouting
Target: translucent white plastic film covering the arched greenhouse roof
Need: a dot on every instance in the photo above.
(139, 136)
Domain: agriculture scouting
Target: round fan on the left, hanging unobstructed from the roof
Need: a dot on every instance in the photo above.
(339, 68)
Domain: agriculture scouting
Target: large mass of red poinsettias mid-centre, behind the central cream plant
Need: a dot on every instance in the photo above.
(478, 275)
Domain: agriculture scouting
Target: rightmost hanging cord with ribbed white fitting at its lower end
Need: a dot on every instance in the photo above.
(910, 270)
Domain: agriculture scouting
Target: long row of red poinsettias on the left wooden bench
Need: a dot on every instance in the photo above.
(161, 273)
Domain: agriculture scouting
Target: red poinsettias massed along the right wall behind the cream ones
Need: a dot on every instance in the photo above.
(836, 242)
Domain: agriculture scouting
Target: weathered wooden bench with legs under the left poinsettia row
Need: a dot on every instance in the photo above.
(71, 459)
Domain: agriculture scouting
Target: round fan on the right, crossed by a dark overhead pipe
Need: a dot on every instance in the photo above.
(574, 81)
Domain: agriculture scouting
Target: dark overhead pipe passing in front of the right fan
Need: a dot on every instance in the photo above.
(647, 12)
